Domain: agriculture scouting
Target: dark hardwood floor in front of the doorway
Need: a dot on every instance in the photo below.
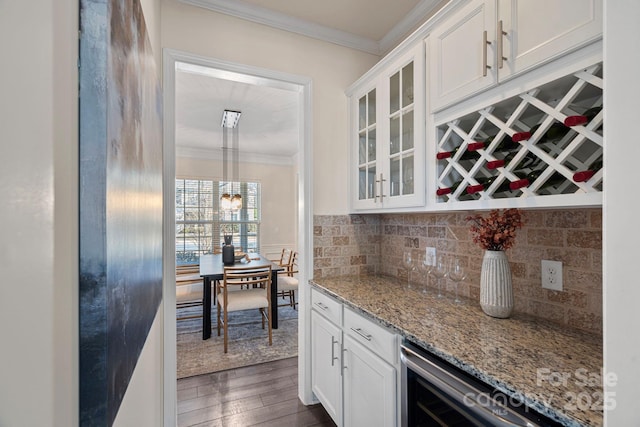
(260, 395)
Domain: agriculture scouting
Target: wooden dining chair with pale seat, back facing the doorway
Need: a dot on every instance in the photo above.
(233, 296)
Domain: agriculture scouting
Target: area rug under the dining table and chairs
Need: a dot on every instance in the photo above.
(248, 342)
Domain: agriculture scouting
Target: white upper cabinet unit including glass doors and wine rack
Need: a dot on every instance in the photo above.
(495, 68)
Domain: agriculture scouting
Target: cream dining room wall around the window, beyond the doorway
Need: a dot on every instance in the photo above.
(279, 200)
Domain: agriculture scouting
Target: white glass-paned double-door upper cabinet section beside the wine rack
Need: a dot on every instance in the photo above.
(387, 134)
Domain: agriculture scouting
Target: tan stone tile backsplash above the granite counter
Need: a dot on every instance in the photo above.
(359, 244)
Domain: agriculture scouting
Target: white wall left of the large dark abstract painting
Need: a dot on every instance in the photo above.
(38, 189)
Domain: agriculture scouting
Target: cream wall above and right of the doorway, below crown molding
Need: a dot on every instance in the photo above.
(332, 68)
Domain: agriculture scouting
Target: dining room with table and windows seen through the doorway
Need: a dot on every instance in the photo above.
(255, 162)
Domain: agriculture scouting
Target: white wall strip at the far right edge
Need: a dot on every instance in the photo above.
(621, 227)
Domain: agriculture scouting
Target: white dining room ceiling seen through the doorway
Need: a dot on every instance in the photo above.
(268, 125)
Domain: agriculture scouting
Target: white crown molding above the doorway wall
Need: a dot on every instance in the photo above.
(284, 22)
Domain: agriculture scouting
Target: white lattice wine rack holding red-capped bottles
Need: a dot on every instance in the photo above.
(520, 147)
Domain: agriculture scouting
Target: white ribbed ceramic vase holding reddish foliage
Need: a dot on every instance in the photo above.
(496, 291)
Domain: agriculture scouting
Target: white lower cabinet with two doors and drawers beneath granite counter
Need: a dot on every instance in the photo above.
(353, 369)
